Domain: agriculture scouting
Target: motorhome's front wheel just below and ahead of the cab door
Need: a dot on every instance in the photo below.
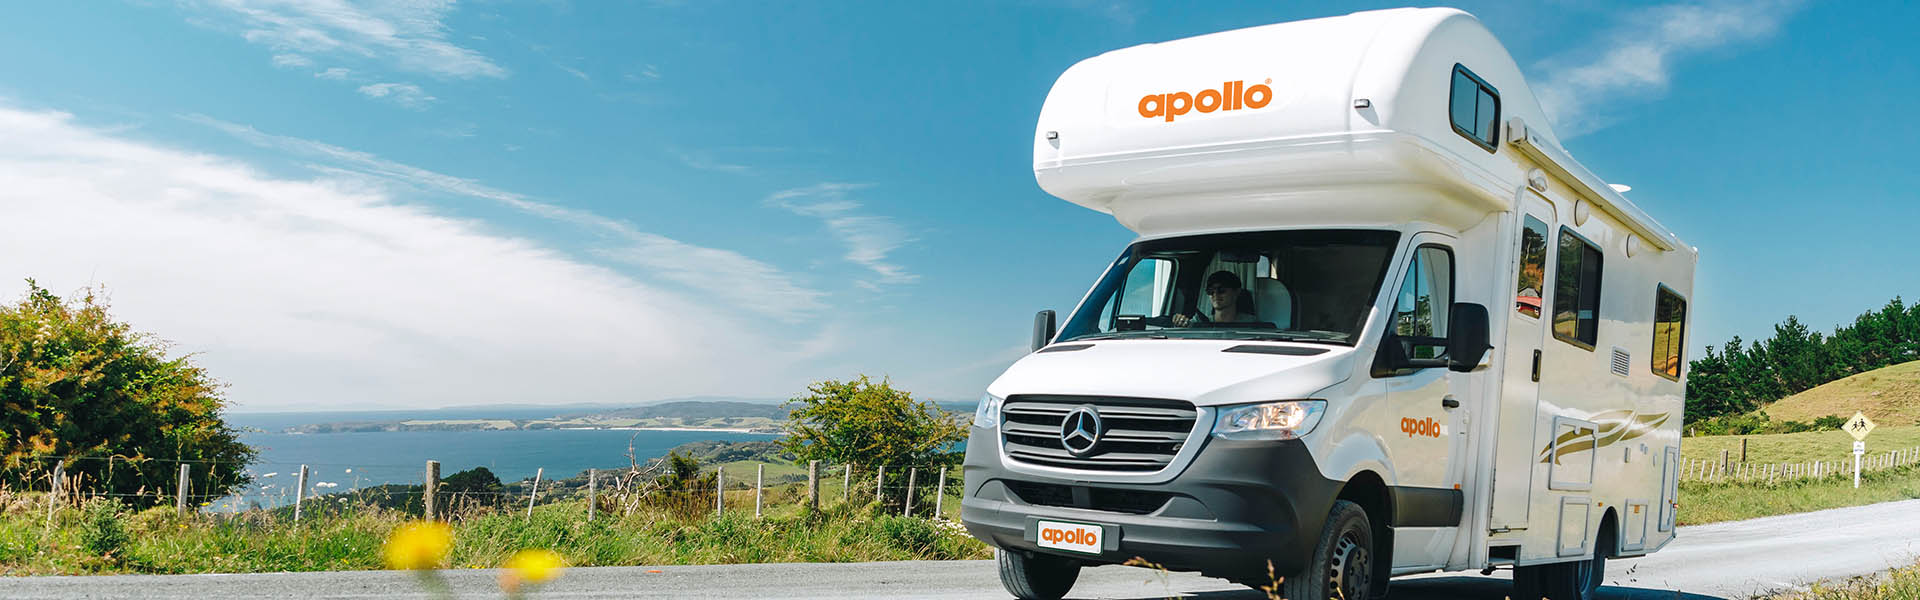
(1343, 561)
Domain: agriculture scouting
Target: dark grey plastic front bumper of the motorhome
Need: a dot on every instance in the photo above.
(1228, 514)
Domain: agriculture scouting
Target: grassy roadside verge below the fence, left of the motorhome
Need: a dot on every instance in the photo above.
(108, 537)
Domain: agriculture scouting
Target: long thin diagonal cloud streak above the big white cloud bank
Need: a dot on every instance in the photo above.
(723, 274)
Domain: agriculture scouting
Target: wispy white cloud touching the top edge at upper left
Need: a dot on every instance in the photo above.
(408, 36)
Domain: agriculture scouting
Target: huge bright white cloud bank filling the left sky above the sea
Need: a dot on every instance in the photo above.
(329, 293)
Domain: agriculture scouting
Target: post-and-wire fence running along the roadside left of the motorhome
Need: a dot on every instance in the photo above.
(295, 491)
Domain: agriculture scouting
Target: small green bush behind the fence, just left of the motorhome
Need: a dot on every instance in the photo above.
(871, 424)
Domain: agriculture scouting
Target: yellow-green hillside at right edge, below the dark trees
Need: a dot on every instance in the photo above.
(1886, 395)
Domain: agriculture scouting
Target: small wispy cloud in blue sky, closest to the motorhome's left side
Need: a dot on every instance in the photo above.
(869, 237)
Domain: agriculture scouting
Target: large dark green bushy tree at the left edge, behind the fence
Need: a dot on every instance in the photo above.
(78, 386)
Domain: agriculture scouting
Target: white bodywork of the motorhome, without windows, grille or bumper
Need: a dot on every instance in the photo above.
(1312, 159)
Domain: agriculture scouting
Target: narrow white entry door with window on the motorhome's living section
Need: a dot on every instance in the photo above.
(1520, 393)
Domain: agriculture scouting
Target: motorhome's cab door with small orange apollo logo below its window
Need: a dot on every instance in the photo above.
(1426, 428)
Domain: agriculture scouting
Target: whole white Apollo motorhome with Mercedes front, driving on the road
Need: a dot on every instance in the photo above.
(1378, 322)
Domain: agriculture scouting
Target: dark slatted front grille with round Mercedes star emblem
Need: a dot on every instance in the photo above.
(1136, 434)
